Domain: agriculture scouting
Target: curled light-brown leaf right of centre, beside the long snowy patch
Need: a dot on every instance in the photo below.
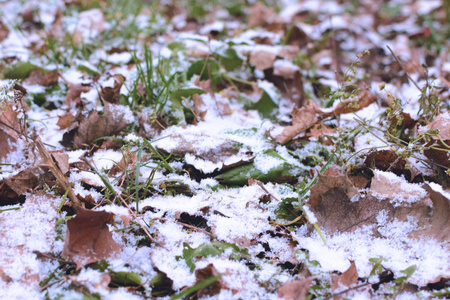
(302, 119)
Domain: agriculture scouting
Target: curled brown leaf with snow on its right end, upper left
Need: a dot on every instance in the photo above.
(114, 119)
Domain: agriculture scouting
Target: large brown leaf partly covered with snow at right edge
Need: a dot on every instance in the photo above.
(401, 201)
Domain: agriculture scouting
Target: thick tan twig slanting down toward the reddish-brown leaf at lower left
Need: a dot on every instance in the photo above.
(61, 179)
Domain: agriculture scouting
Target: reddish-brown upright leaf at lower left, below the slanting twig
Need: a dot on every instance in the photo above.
(88, 238)
